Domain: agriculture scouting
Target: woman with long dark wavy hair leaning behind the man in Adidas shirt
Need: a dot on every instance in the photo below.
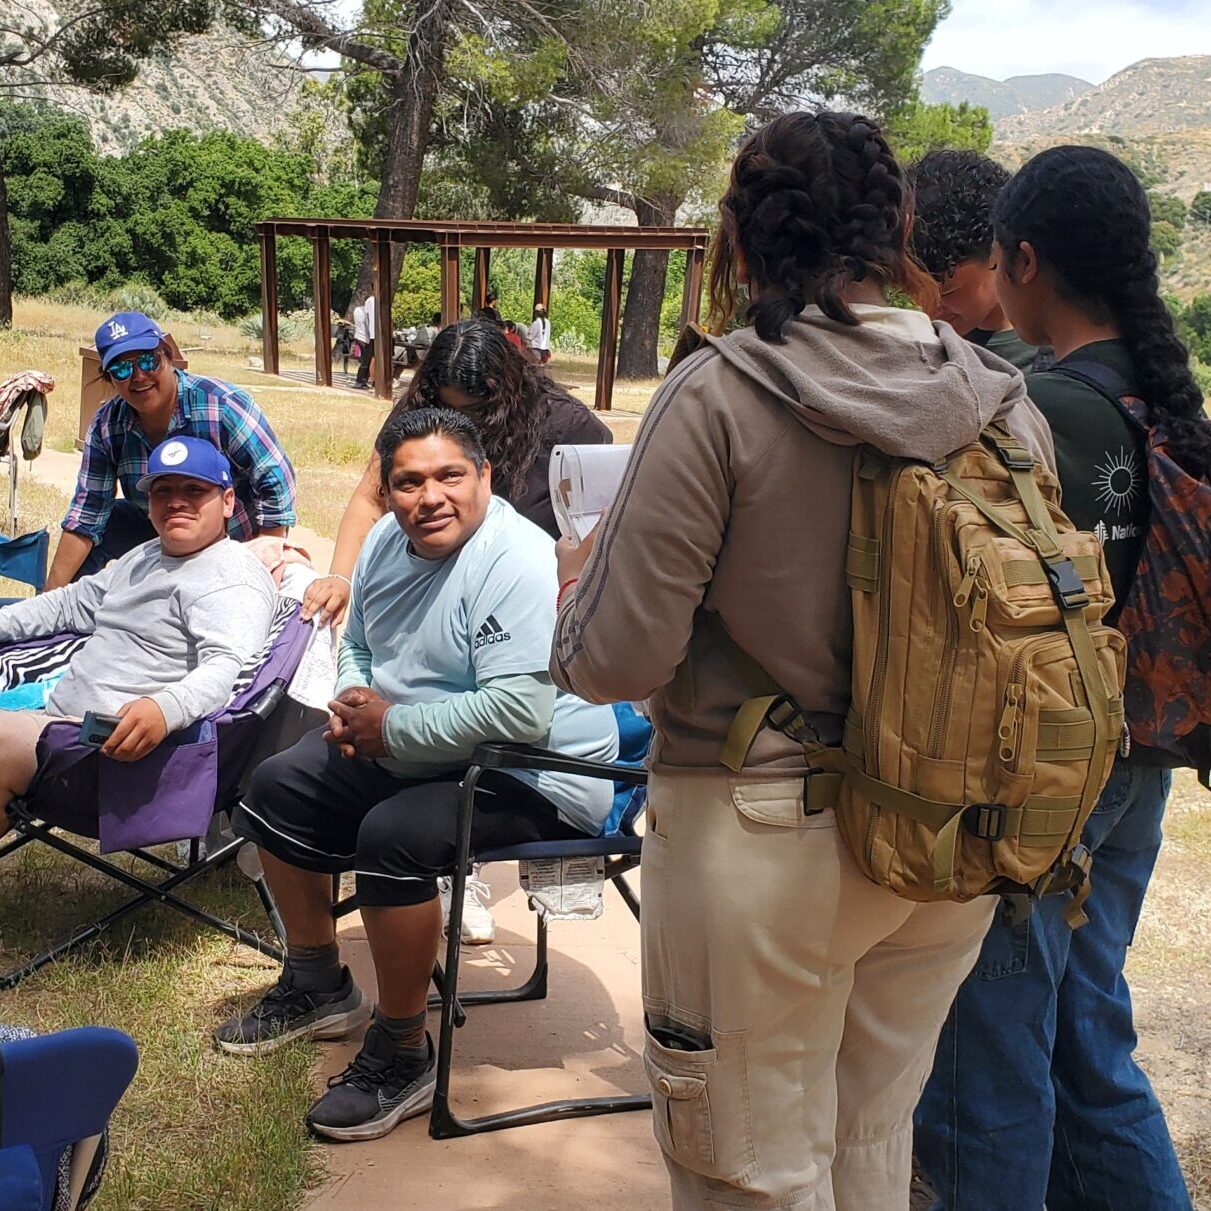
(521, 414)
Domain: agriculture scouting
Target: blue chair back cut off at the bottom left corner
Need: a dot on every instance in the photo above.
(58, 1092)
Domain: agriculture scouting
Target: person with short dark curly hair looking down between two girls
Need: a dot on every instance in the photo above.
(955, 193)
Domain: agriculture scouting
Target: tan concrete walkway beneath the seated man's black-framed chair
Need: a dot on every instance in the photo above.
(586, 1040)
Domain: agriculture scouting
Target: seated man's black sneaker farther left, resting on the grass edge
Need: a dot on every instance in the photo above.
(286, 1013)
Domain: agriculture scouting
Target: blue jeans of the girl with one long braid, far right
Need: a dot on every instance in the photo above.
(1035, 1095)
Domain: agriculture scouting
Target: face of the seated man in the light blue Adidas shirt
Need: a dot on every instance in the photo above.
(438, 496)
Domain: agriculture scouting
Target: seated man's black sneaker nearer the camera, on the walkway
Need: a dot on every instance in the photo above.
(377, 1092)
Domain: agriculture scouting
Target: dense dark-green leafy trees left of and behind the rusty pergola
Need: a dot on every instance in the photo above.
(179, 213)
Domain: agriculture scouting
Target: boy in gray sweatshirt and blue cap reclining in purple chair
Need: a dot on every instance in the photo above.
(170, 624)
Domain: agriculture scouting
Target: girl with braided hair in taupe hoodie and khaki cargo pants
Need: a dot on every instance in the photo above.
(793, 1006)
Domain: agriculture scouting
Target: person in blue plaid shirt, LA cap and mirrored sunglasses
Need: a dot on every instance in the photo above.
(154, 401)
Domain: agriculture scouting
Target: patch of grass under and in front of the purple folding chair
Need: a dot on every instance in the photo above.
(198, 1130)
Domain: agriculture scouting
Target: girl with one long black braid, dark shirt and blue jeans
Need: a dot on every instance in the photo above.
(1036, 1059)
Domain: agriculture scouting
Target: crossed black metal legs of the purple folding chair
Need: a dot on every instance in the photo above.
(30, 828)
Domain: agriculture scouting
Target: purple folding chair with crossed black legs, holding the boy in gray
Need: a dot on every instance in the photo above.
(170, 796)
